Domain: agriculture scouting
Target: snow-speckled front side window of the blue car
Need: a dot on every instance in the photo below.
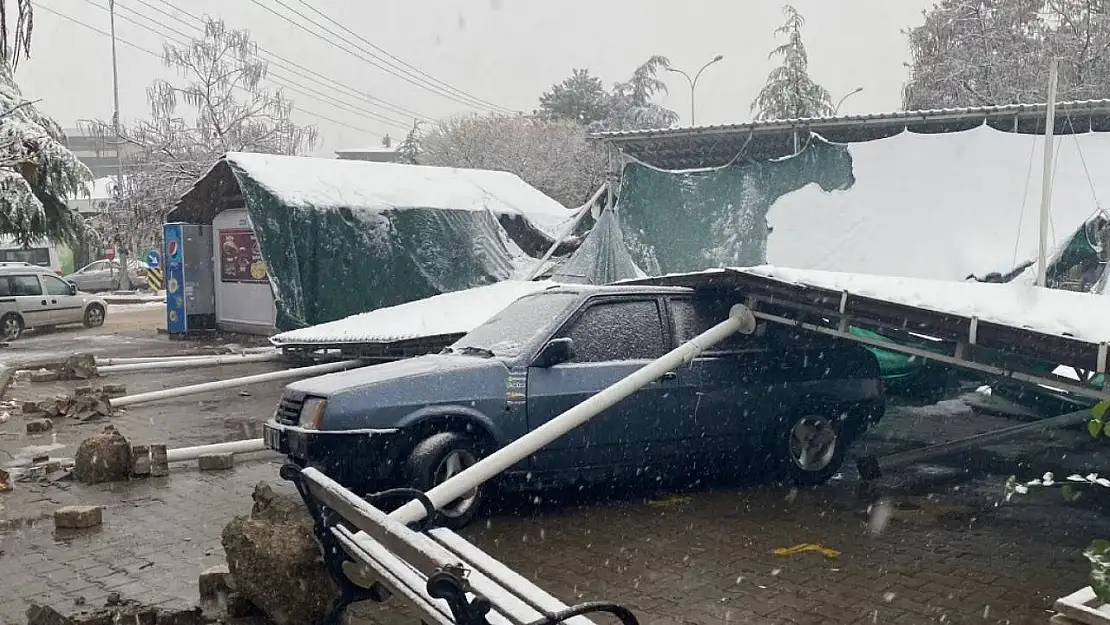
(615, 331)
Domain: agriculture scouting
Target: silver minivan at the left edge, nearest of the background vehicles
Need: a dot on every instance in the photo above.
(35, 297)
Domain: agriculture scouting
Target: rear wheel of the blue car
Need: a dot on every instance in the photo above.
(811, 447)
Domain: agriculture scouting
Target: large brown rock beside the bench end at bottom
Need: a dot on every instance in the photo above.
(275, 560)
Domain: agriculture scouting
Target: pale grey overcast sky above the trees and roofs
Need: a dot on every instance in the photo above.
(504, 53)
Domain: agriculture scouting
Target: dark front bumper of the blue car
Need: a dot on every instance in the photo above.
(358, 459)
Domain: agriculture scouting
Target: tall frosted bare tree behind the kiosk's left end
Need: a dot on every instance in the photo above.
(221, 106)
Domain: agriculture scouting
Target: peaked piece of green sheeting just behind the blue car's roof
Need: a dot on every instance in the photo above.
(602, 258)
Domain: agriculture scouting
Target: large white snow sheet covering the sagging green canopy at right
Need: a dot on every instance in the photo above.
(941, 206)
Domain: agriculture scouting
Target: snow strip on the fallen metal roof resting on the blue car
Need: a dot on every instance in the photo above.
(1081, 316)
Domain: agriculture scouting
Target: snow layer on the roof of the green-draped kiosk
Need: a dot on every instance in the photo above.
(374, 187)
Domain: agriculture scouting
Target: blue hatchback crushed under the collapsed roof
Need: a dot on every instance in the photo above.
(780, 399)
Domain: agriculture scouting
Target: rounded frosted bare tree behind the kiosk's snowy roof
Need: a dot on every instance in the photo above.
(552, 156)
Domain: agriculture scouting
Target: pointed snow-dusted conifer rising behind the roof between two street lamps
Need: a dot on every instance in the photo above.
(790, 93)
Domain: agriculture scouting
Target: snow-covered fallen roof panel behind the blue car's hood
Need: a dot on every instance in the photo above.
(449, 314)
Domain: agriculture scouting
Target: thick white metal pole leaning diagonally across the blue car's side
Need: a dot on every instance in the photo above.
(740, 320)
